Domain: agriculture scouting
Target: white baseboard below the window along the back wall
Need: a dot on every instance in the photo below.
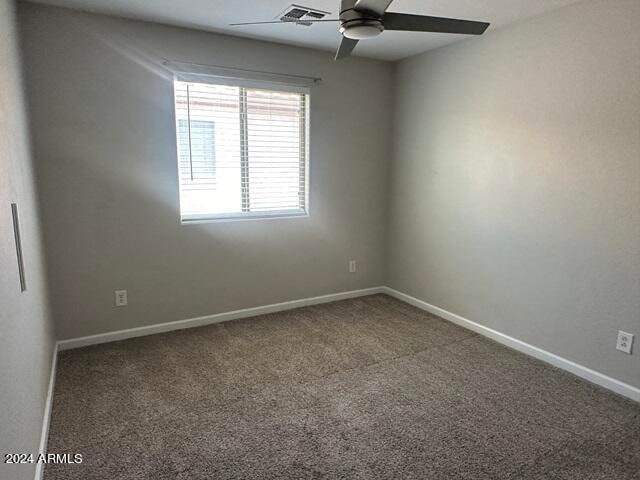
(210, 319)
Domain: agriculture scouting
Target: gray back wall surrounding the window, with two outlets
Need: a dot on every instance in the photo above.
(104, 142)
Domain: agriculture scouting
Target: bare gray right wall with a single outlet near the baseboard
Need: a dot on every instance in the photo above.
(516, 182)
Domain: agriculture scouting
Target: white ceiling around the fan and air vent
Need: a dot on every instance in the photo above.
(215, 15)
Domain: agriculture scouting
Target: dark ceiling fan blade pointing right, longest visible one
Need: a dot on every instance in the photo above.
(422, 23)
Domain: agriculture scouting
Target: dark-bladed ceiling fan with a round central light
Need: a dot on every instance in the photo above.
(362, 19)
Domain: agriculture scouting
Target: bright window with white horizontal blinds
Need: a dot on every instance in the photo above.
(242, 151)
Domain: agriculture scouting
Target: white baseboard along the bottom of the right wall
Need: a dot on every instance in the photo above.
(581, 371)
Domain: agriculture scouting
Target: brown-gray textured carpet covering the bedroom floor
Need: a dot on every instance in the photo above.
(369, 388)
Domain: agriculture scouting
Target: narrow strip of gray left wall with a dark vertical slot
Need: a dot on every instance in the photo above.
(26, 338)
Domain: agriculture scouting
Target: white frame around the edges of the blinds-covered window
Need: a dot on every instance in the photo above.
(191, 219)
